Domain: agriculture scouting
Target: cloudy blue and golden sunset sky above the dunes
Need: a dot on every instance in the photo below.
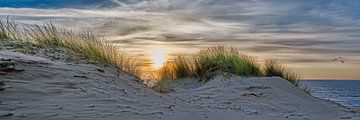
(304, 34)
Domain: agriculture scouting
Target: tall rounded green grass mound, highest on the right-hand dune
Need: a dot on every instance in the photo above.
(211, 61)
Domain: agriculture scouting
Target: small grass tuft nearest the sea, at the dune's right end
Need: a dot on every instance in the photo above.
(274, 68)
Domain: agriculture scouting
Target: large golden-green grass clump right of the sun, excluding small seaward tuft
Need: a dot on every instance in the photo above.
(210, 61)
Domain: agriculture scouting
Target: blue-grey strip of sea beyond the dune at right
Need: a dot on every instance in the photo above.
(344, 92)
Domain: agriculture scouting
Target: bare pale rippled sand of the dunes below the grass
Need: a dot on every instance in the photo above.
(49, 90)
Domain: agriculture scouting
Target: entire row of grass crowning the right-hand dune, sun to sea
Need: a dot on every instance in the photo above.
(212, 61)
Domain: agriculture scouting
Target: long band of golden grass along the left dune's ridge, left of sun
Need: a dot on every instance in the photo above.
(82, 43)
